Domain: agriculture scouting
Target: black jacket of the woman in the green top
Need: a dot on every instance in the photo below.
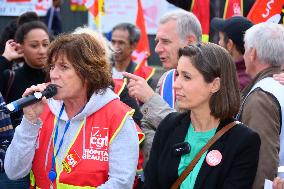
(239, 148)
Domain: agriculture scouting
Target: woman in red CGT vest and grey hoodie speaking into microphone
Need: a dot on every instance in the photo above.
(84, 136)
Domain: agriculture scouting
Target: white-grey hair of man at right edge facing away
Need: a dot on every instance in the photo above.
(268, 40)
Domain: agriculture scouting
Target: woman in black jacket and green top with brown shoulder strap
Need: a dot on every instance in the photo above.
(207, 89)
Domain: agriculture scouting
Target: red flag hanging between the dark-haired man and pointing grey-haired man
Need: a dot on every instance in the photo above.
(142, 50)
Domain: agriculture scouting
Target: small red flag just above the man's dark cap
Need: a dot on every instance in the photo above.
(233, 8)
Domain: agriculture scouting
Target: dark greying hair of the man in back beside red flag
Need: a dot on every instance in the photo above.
(134, 32)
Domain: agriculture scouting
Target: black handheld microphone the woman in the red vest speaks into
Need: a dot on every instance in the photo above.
(17, 105)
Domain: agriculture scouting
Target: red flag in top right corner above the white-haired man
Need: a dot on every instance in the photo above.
(264, 10)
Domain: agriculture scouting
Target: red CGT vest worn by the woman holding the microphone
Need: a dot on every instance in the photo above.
(90, 164)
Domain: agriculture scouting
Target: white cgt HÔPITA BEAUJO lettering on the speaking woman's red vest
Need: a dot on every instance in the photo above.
(98, 146)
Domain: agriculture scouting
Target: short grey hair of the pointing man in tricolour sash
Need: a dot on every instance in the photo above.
(187, 24)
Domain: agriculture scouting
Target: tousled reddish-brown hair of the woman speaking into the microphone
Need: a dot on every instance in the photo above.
(87, 56)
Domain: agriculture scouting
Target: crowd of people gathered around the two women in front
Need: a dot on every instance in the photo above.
(214, 120)
